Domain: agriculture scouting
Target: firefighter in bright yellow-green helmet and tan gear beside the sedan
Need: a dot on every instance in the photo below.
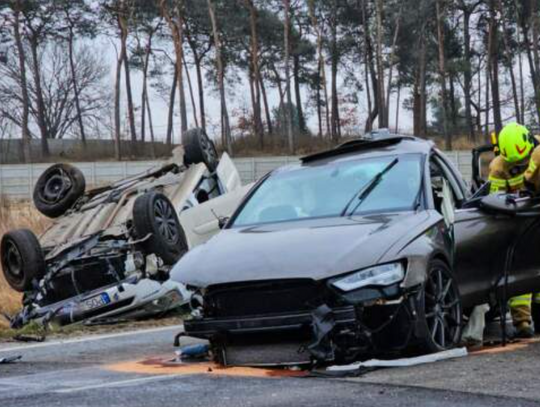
(517, 167)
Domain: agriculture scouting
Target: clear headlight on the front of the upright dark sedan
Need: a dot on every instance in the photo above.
(383, 275)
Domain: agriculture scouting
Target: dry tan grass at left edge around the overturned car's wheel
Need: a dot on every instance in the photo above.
(12, 216)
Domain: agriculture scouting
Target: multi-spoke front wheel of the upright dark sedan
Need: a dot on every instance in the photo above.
(439, 310)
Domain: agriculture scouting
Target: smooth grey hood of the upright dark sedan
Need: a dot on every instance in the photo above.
(314, 249)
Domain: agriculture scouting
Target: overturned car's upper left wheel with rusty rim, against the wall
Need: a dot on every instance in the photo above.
(57, 189)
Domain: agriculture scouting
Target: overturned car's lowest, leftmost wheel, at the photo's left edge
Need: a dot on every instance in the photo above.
(22, 259)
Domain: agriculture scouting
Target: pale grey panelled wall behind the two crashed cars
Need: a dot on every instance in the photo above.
(17, 180)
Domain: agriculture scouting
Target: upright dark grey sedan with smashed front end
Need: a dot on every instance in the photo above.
(373, 248)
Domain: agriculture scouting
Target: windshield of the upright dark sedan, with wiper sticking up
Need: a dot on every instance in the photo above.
(324, 190)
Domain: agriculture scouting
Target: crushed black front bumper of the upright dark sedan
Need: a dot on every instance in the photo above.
(318, 336)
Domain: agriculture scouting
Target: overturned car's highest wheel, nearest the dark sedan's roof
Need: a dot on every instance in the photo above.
(198, 148)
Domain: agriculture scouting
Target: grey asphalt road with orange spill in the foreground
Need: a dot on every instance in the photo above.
(121, 370)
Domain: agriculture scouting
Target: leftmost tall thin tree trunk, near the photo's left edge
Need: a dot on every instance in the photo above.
(26, 150)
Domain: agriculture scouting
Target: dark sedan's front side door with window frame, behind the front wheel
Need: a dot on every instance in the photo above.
(480, 240)
